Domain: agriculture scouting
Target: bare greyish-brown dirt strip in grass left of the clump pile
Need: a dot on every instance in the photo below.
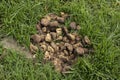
(10, 43)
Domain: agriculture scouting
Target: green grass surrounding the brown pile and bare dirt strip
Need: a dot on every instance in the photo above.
(99, 19)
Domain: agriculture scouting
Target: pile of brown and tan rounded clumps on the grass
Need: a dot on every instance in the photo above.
(61, 44)
